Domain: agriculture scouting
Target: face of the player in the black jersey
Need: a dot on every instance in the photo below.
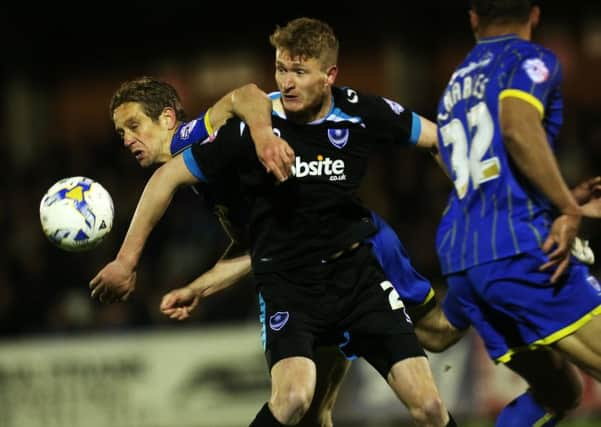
(303, 84)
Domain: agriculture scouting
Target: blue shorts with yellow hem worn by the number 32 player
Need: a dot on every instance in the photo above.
(513, 306)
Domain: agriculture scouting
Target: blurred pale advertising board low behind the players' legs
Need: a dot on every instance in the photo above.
(214, 377)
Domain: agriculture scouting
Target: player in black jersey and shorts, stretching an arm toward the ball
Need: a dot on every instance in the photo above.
(318, 282)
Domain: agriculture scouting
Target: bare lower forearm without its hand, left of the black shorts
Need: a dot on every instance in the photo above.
(223, 275)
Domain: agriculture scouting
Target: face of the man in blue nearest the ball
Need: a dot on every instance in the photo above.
(146, 139)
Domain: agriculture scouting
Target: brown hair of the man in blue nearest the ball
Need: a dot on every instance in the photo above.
(153, 95)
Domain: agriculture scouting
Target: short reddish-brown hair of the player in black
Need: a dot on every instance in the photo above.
(307, 38)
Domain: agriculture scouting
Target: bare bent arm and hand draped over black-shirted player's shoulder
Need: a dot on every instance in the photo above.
(253, 106)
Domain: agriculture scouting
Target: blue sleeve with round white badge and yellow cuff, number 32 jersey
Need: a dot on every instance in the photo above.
(533, 76)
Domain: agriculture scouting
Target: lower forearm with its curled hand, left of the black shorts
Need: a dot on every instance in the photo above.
(179, 303)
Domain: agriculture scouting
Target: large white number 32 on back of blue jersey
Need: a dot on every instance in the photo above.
(464, 164)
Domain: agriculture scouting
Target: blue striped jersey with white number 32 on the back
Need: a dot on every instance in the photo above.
(493, 211)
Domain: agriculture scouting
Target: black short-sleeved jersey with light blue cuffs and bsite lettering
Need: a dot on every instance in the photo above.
(316, 212)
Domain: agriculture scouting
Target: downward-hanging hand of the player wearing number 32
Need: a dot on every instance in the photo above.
(563, 232)
